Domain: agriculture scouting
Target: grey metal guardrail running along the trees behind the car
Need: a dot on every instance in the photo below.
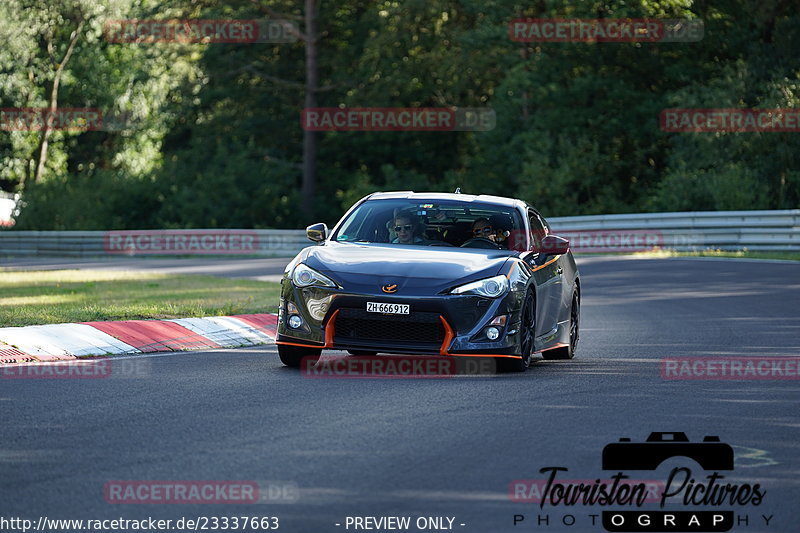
(725, 230)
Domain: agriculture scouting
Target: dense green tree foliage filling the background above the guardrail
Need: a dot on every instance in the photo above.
(216, 140)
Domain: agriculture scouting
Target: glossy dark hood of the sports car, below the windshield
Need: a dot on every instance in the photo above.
(417, 270)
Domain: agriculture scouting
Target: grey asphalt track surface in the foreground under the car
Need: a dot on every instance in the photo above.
(430, 447)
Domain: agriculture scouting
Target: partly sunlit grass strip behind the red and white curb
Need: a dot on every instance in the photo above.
(56, 296)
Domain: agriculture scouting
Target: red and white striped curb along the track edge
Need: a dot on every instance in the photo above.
(55, 342)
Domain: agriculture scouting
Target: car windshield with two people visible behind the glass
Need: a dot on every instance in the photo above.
(434, 223)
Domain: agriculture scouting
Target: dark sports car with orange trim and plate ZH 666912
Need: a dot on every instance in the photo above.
(433, 273)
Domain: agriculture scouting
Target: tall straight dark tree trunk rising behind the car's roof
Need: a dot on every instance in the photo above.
(310, 137)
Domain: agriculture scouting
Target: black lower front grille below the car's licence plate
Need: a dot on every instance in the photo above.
(358, 325)
